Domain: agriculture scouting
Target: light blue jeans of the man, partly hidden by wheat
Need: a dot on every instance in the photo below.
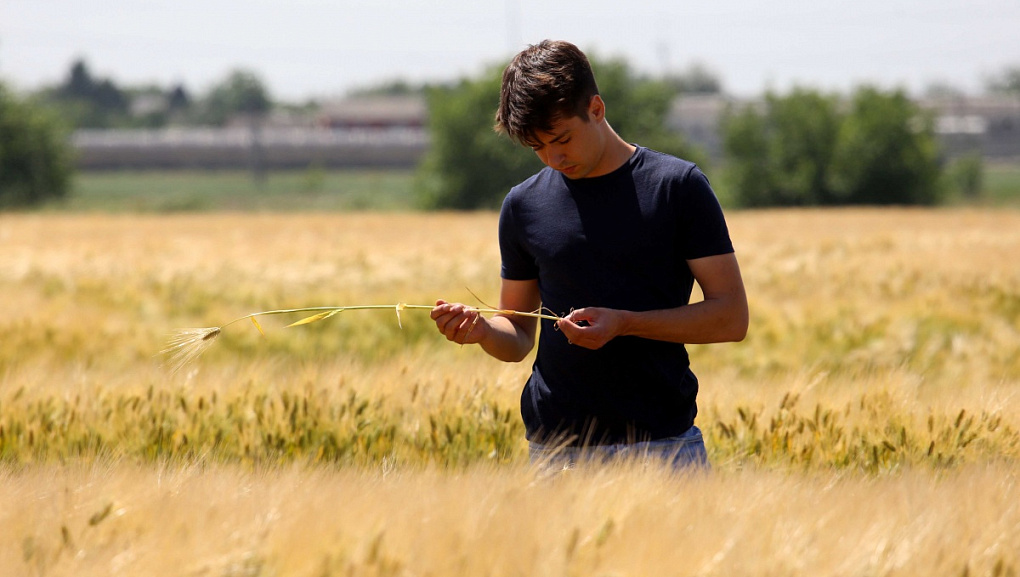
(682, 453)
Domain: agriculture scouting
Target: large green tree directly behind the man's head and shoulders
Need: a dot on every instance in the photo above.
(470, 167)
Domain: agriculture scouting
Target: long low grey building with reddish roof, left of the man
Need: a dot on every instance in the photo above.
(384, 132)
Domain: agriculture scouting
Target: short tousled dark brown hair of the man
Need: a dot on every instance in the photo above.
(545, 83)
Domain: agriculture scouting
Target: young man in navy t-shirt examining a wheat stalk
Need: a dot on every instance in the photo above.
(611, 236)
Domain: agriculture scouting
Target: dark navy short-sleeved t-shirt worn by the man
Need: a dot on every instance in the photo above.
(620, 241)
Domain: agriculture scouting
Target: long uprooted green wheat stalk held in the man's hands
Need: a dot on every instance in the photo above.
(186, 345)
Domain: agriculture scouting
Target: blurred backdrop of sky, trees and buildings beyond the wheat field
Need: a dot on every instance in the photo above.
(193, 106)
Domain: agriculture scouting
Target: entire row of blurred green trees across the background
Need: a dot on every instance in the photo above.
(803, 148)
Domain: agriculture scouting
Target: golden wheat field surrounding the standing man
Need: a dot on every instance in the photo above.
(869, 426)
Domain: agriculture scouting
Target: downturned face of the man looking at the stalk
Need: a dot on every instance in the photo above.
(575, 146)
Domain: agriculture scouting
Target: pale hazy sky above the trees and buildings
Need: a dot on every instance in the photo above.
(322, 49)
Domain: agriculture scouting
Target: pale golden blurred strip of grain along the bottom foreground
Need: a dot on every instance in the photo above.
(179, 519)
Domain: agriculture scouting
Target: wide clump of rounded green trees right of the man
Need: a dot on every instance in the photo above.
(803, 150)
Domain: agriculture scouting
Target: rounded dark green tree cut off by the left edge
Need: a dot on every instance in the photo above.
(35, 156)
